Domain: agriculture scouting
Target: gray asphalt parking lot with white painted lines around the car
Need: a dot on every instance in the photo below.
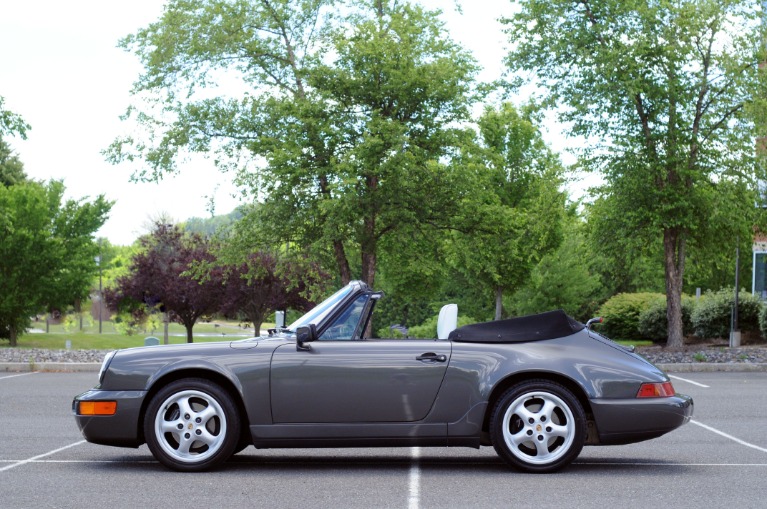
(718, 460)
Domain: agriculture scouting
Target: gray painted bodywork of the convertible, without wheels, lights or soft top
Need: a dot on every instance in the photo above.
(376, 392)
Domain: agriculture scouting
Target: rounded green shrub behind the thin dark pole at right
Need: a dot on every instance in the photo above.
(713, 313)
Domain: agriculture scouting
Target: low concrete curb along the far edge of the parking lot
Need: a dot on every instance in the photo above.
(681, 367)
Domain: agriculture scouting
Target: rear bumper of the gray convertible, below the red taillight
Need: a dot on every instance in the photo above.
(624, 421)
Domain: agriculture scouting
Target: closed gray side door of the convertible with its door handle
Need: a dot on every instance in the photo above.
(362, 381)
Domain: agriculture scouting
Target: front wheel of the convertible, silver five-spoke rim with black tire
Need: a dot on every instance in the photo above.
(192, 425)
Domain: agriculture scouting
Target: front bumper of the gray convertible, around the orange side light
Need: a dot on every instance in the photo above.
(123, 429)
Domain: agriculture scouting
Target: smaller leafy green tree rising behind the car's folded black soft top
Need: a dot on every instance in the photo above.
(514, 215)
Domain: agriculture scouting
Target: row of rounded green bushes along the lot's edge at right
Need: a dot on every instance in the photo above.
(642, 316)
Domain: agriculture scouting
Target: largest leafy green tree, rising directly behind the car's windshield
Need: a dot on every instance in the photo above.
(347, 119)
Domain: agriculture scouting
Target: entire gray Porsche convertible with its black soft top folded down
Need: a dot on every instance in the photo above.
(537, 388)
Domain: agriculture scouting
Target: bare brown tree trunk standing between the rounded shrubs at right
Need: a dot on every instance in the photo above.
(673, 250)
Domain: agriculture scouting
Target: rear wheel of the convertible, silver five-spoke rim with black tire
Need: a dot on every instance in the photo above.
(538, 426)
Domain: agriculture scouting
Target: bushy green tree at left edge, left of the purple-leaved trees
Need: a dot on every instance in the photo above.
(45, 255)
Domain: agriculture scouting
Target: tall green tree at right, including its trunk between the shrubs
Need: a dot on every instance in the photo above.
(666, 88)
